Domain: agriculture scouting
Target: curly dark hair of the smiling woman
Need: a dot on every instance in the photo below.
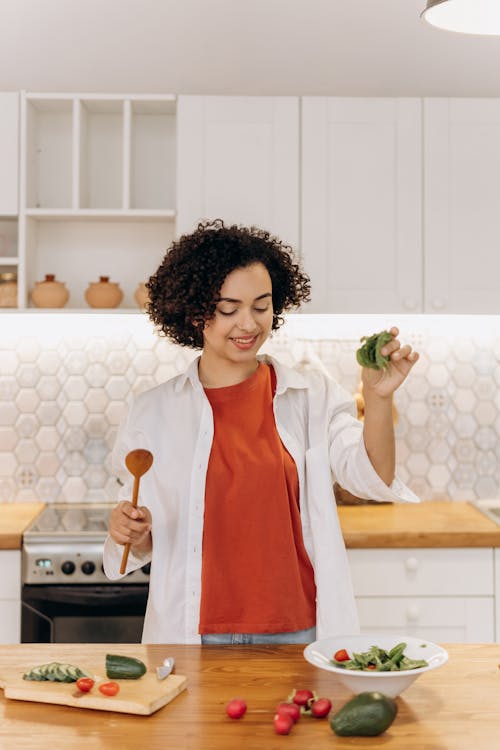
(183, 292)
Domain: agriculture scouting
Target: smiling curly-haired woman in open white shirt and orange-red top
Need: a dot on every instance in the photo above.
(239, 519)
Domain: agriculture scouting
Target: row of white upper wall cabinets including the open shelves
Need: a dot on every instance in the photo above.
(390, 201)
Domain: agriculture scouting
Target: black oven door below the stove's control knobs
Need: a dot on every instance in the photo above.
(83, 613)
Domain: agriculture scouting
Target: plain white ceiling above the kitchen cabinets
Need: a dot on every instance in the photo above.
(315, 47)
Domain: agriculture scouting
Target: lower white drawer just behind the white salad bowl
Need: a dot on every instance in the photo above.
(447, 619)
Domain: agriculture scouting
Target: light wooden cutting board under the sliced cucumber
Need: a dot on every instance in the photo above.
(143, 696)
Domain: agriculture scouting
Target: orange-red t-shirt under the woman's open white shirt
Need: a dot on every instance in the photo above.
(256, 574)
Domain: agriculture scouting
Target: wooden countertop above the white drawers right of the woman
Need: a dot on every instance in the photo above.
(426, 524)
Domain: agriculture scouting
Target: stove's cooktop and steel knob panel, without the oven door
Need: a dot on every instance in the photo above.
(64, 545)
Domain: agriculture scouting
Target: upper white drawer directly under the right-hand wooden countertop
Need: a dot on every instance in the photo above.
(426, 572)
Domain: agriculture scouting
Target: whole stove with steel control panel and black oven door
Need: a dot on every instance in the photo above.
(65, 596)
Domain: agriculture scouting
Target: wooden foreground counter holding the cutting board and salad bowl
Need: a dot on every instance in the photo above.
(454, 707)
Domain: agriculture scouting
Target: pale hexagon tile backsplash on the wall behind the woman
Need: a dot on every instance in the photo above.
(61, 402)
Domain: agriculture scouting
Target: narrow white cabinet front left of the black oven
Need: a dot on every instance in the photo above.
(10, 596)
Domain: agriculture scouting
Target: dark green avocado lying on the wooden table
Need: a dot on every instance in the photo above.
(365, 715)
